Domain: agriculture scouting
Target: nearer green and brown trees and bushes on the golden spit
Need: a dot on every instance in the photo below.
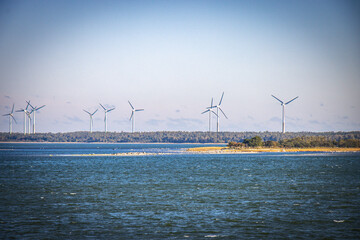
(297, 142)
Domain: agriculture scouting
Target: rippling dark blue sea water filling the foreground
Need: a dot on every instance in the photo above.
(51, 191)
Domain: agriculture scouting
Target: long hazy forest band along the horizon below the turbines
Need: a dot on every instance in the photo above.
(172, 137)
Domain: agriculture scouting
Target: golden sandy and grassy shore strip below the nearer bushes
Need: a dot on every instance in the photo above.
(224, 150)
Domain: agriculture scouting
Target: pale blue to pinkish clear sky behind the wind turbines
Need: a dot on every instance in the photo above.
(172, 57)
